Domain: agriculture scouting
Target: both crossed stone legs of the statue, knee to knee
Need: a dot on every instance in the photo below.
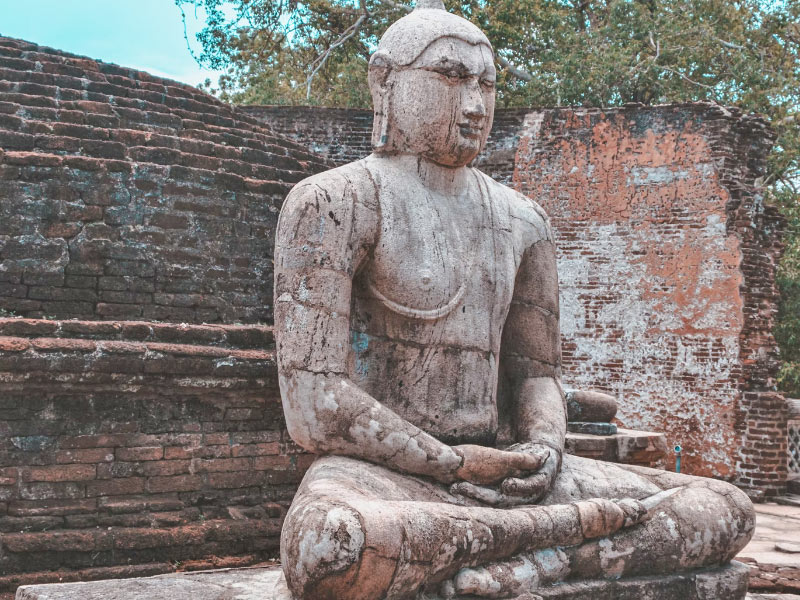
(360, 531)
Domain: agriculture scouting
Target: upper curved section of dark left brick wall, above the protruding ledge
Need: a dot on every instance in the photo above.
(130, 196)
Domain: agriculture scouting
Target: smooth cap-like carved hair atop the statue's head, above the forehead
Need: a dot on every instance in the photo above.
(408, 37)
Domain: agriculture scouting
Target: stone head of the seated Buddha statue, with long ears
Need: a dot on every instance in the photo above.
(432, 80)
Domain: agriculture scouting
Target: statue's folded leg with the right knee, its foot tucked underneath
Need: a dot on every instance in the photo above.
(705, 523)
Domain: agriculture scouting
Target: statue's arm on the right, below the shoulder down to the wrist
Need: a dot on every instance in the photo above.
(531, 352)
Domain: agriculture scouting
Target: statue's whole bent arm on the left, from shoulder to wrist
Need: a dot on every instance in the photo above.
(326, 229)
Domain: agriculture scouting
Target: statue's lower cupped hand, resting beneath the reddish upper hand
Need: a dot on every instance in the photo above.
(515, 491)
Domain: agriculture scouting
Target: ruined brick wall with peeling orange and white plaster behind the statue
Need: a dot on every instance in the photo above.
(667, 261)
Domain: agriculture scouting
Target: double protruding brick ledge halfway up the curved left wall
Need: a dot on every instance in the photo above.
(91, 351)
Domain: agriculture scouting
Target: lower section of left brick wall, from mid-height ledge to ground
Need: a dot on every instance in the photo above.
(134, 448)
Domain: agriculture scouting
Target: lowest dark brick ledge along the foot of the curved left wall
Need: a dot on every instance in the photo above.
(99, 553)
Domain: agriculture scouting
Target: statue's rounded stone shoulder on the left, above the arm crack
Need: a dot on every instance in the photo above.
(328, 220)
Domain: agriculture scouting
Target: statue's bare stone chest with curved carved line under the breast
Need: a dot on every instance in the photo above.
(438, 257)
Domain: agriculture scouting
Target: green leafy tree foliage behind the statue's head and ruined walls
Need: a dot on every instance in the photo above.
(549, 53)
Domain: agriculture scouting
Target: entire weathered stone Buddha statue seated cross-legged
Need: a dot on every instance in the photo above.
(417, 324)
